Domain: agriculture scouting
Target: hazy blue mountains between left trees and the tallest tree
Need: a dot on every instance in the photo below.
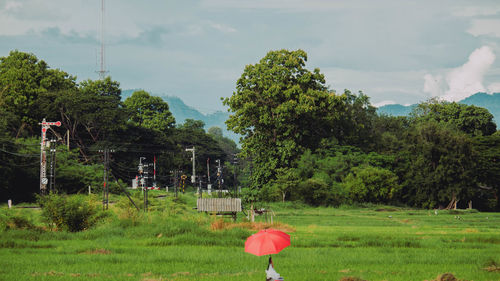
(181, 112)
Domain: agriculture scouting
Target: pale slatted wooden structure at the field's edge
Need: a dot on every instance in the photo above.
(219, 206)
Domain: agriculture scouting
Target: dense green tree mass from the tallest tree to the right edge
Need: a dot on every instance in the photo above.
(310, 143)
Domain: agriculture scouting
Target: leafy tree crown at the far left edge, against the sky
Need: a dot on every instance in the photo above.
(22, 79)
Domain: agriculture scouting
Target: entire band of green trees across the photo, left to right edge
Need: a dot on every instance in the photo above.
(301, 140)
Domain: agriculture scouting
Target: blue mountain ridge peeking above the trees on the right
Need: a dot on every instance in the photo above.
(490, 102)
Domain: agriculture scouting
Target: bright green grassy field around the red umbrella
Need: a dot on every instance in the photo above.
(175, 243)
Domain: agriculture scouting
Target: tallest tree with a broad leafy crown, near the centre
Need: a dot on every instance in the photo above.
(278, 106)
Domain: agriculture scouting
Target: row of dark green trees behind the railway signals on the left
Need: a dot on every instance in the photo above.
(93, 116)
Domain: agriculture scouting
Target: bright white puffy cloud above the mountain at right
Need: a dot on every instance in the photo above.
(463, 81)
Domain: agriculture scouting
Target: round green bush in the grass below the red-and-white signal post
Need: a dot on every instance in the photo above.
(70, 213)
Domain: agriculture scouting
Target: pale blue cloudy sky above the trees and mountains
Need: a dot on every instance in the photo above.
(394, 51)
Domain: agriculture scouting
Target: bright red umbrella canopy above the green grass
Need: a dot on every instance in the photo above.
(266, 242)
